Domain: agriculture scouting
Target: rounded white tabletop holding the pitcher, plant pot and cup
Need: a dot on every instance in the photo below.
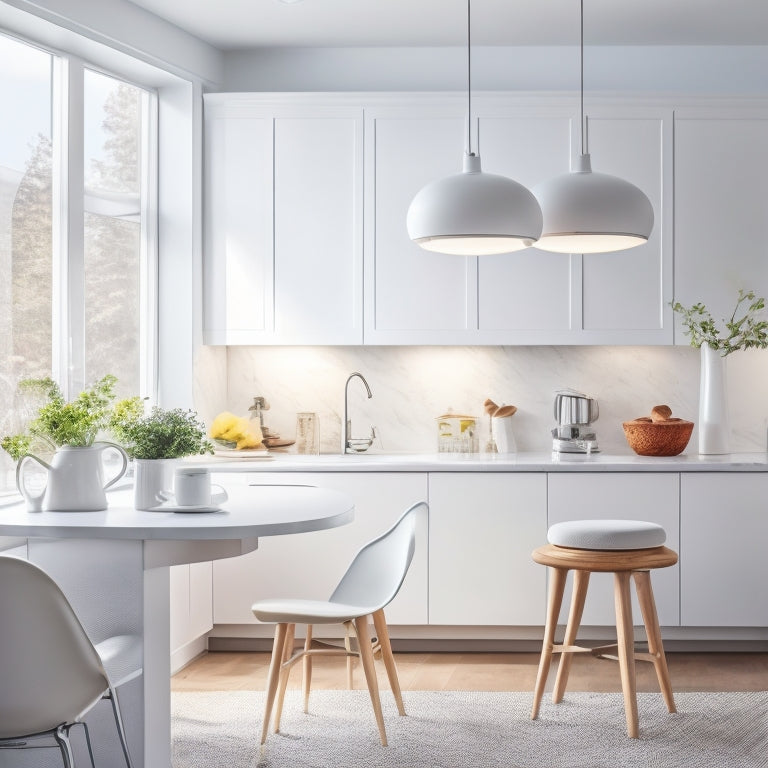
(250, 512)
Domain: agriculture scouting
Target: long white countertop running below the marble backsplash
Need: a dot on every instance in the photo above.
(484, 462)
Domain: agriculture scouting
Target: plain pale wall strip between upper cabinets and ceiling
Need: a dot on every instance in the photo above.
(667, 69)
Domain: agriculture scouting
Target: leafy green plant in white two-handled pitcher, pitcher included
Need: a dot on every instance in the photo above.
(68, 430)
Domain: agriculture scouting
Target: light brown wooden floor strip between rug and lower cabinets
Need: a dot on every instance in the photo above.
(484, 672)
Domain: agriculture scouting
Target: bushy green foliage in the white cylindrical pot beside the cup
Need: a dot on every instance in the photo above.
(160, 434)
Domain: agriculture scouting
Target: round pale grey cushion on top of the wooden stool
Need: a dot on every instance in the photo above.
(606, 534)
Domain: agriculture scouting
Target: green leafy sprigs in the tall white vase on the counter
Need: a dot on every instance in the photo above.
(745, 330)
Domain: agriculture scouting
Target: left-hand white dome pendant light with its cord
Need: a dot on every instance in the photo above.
(473, 213)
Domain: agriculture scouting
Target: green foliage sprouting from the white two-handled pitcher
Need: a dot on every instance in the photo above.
(58, 422)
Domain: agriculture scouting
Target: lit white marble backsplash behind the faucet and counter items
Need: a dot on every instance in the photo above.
(411, 386)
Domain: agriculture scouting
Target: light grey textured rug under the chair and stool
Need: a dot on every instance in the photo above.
(462, 729)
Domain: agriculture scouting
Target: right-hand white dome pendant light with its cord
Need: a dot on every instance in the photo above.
(586, 212)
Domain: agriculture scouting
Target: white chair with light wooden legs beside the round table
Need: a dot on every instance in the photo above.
(371, 582)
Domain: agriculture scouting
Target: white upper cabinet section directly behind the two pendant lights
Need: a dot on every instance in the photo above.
(529, 297)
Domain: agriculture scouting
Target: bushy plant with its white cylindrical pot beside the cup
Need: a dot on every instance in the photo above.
(155, 441)
